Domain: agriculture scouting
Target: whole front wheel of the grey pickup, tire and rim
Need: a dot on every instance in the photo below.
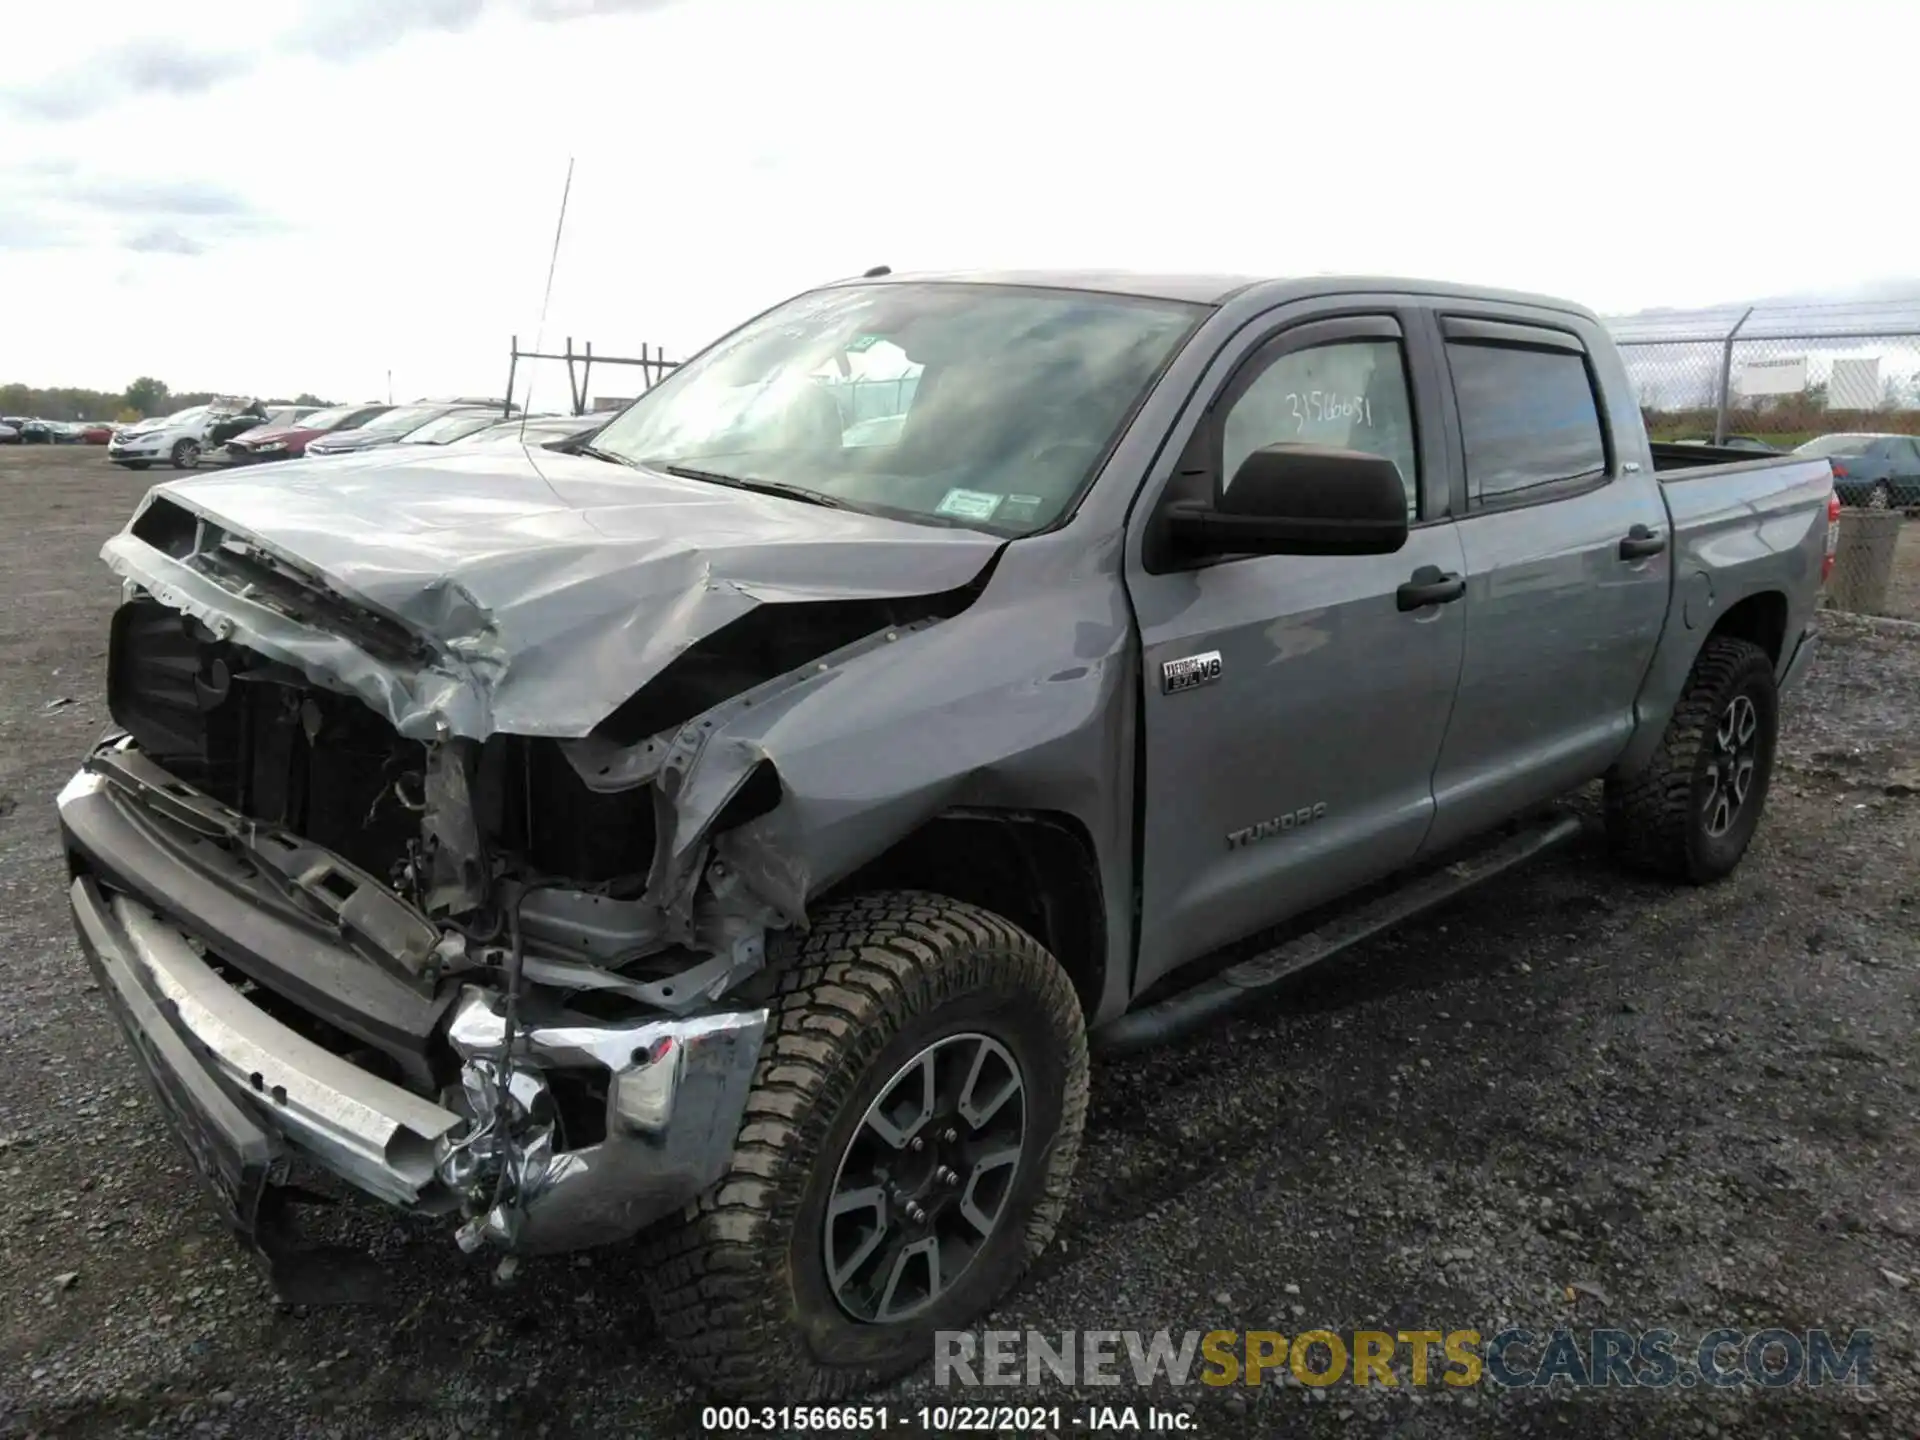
(907, 1153)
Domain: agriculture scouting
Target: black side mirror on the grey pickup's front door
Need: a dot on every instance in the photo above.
(1301, 500)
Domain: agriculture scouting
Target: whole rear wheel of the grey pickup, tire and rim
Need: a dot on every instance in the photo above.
(1692, 811)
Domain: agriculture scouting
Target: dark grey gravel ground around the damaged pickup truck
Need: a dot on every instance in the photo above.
(1698, 1109)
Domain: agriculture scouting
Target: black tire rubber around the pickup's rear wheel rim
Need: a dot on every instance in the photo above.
(1656, 817)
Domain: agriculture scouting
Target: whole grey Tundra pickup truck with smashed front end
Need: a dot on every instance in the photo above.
(731, 836)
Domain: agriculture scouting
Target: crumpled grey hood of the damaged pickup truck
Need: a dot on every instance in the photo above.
(548, 594)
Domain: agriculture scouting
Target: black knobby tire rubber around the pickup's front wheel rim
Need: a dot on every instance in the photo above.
(738, 1280)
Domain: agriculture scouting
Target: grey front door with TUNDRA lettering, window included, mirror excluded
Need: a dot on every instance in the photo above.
(1293, 709)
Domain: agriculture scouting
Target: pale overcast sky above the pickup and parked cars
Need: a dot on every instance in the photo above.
(304, 195)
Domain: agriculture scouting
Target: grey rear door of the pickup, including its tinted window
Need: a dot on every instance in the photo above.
(1568, 569)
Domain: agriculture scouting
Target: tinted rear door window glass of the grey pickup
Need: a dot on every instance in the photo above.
(1529, 418)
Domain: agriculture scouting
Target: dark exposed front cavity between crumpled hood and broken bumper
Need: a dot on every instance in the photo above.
(454, 828)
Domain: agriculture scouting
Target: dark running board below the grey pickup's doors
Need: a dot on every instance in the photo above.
(1182, 1015)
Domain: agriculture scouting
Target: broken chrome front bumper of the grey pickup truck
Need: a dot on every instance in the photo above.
(220, 996)
